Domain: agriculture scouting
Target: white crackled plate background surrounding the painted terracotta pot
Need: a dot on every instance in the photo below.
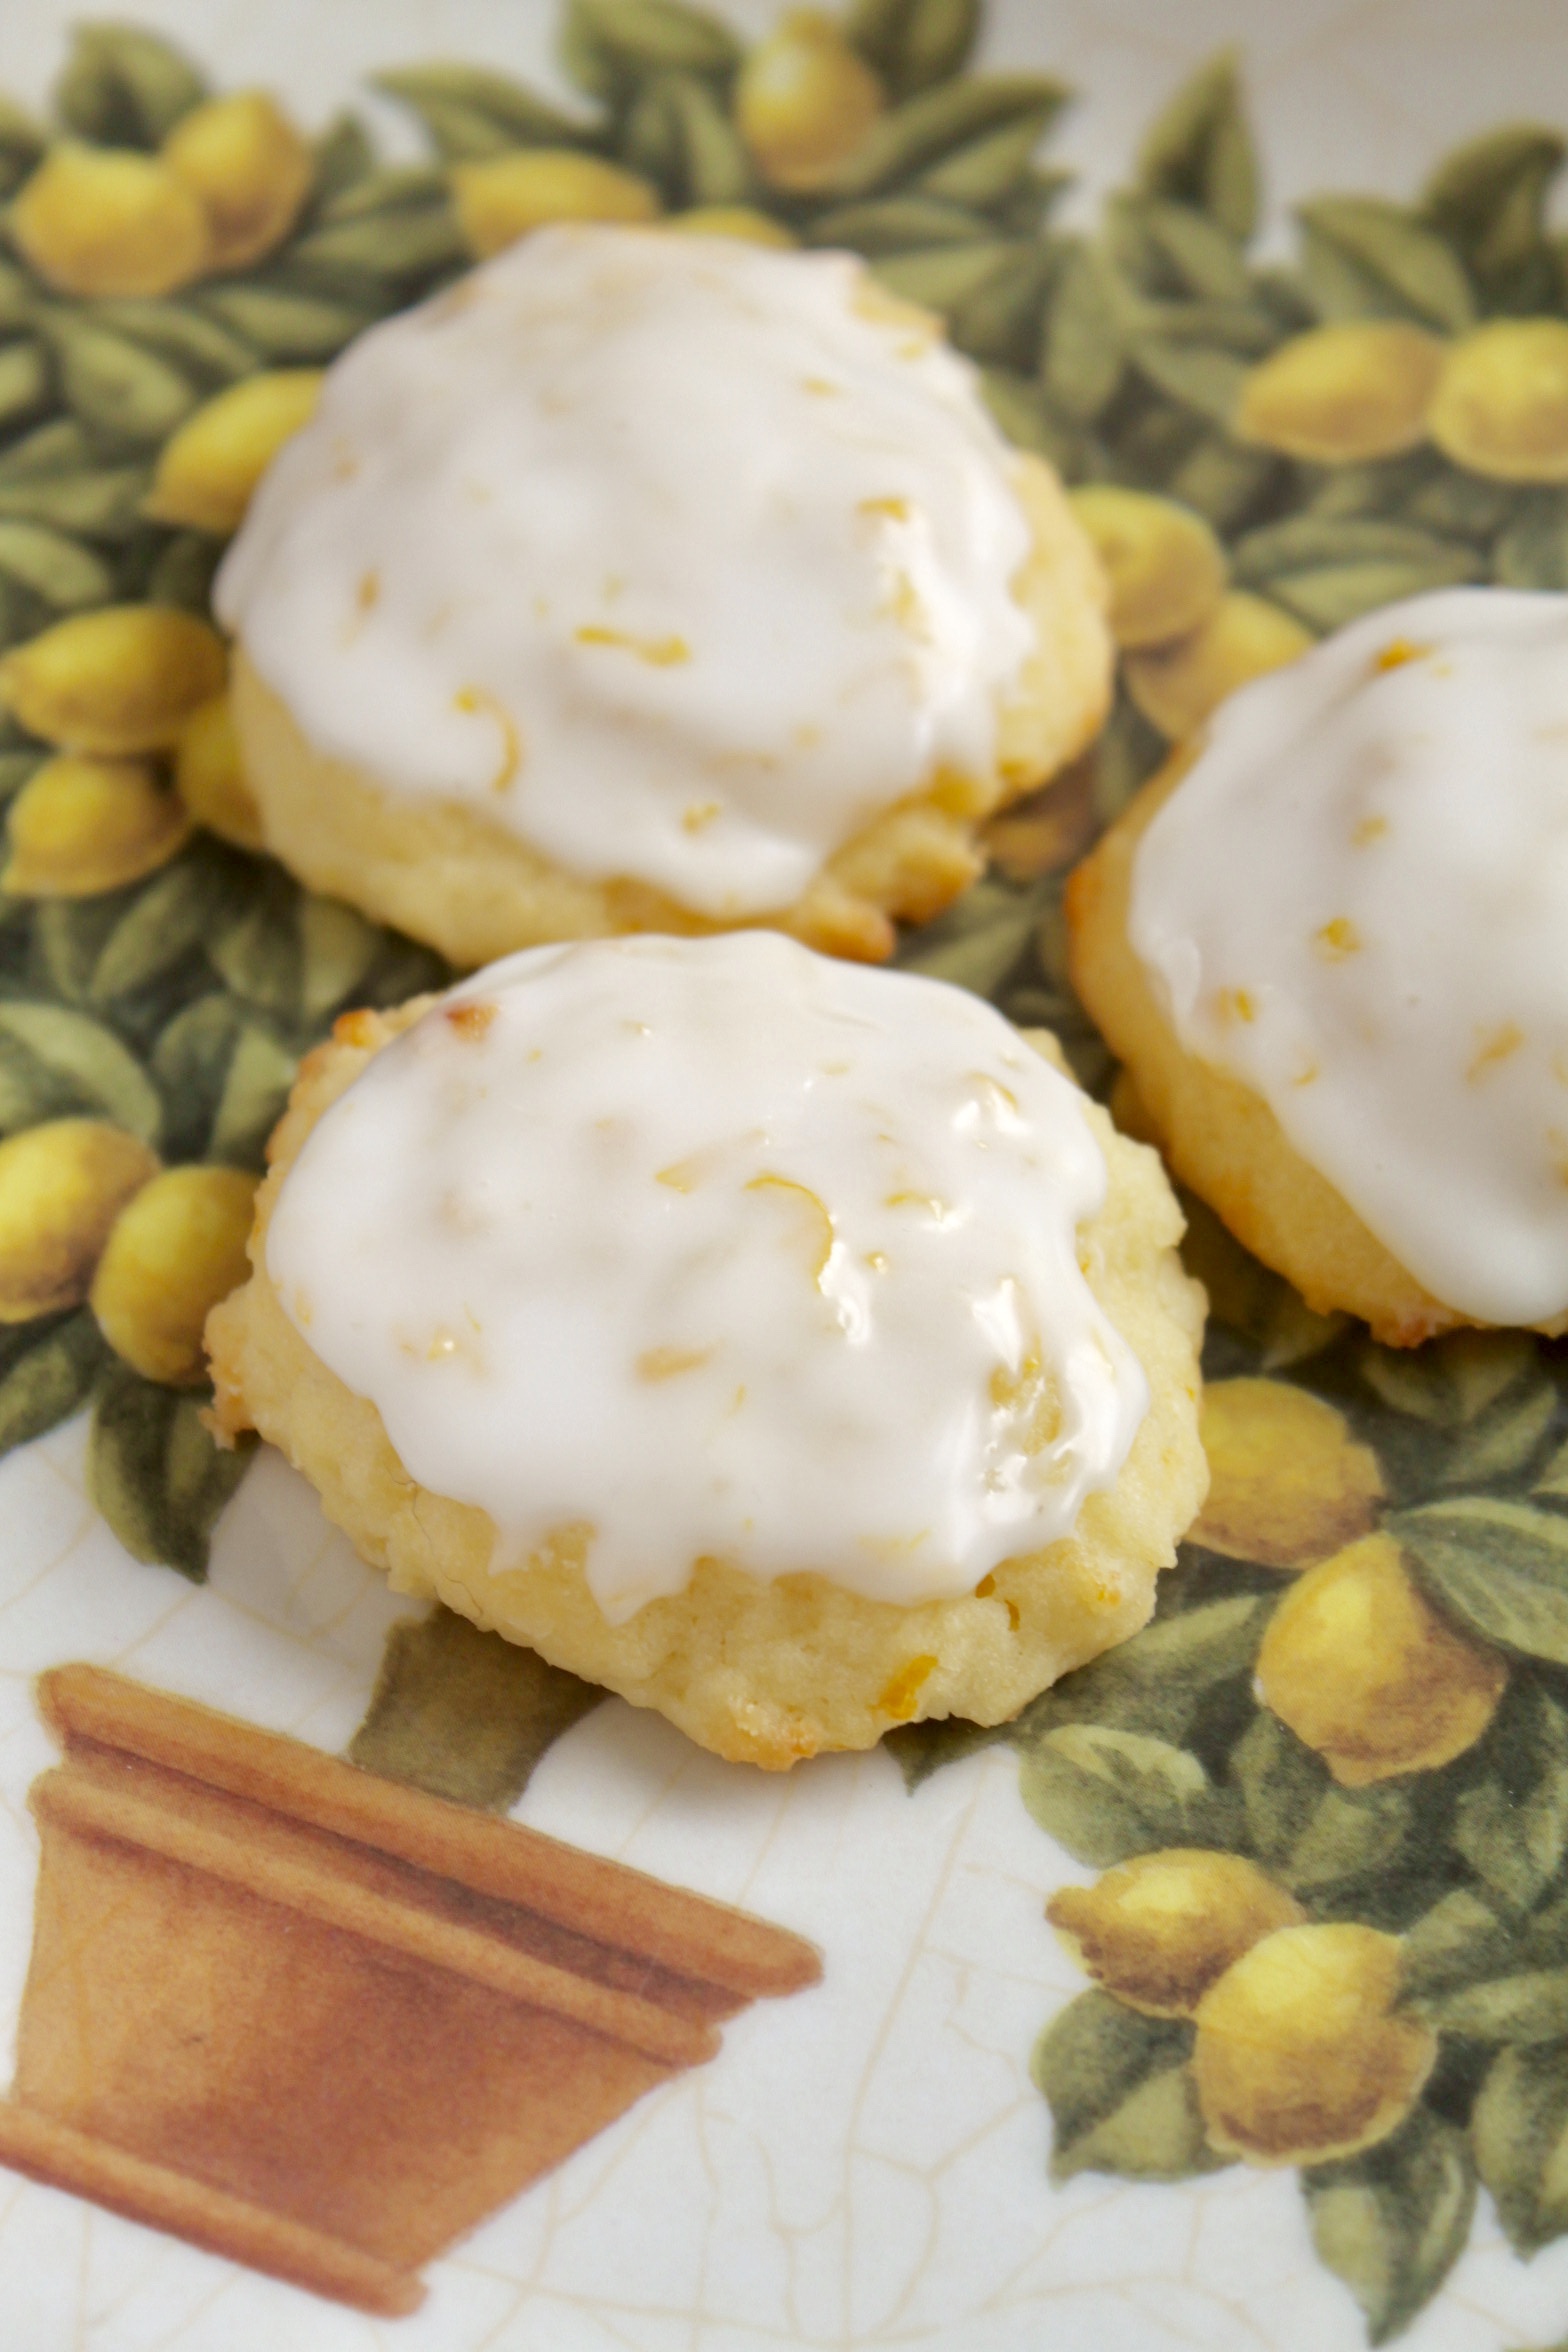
(864, 2167)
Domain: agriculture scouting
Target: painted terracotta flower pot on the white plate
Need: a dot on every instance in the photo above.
(323, 2024)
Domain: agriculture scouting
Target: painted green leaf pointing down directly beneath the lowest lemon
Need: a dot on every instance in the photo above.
(1395, 2219)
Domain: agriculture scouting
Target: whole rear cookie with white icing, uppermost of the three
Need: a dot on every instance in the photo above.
(655, 582)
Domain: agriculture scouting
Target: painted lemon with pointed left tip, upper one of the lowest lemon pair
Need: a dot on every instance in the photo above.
(1160, 1930)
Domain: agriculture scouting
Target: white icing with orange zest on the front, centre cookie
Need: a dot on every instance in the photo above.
(721, 1250)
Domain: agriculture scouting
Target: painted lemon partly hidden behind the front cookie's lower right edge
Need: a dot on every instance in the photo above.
(1289, 1483)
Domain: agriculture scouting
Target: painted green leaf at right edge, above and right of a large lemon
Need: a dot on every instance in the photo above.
(1499, 1568)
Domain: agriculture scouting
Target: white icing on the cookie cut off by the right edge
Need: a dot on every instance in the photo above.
(1358, 904)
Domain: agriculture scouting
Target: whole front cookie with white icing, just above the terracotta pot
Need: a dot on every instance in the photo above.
(789, 1347)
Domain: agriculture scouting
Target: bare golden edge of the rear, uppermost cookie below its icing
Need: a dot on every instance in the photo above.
(476, 890)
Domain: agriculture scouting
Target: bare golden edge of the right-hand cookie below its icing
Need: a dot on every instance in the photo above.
(1217, 1132)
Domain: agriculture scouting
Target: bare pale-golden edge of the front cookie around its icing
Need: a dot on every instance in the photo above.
(765, 1673)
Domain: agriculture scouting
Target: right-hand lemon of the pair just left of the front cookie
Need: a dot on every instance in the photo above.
(173, 1255)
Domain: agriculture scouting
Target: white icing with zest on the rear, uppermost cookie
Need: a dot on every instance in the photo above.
(650, 547)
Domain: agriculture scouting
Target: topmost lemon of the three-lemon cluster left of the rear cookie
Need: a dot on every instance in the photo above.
(119, 681)
